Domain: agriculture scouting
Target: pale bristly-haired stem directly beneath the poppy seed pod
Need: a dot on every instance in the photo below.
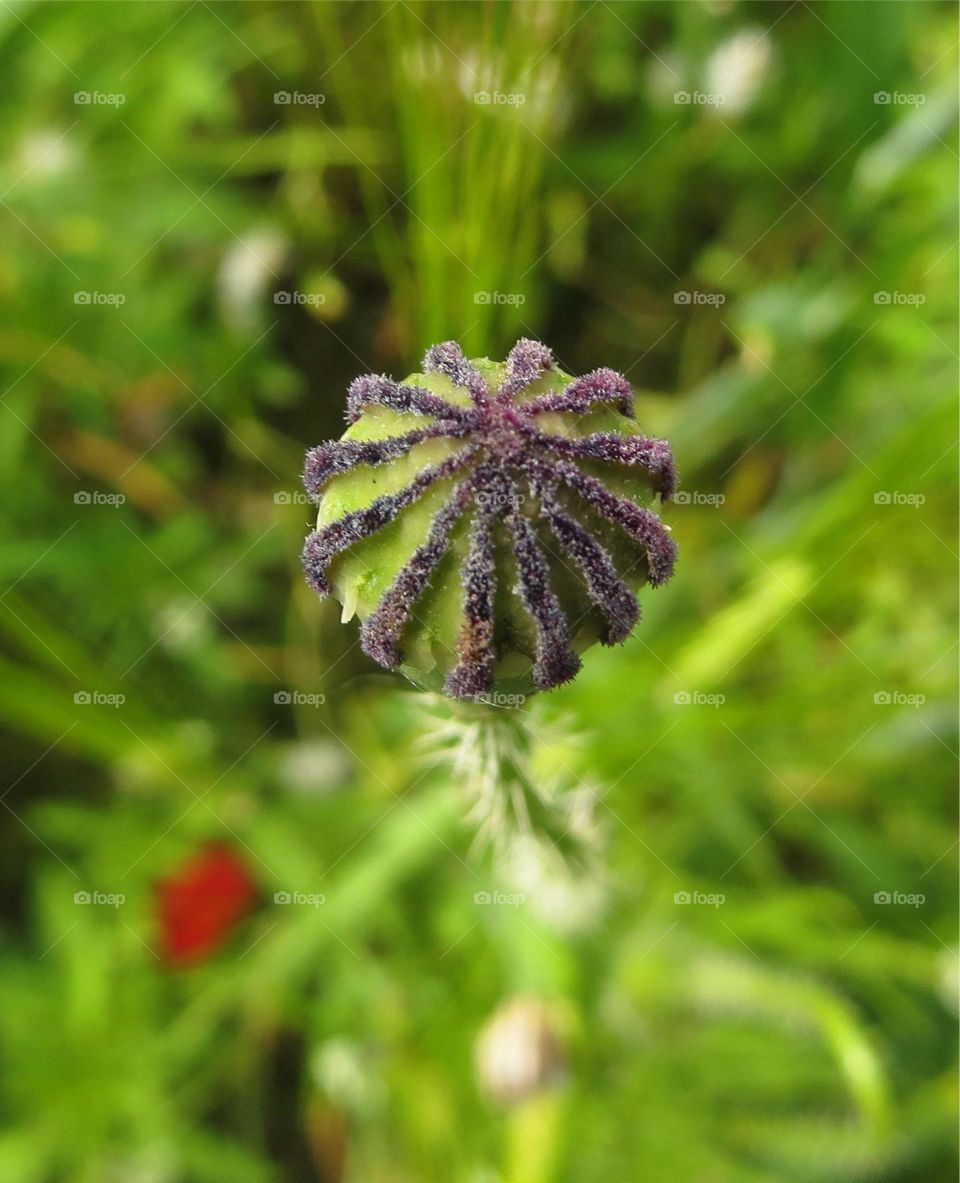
(539, 825)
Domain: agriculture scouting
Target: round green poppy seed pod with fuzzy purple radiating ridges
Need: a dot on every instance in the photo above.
(488, 522)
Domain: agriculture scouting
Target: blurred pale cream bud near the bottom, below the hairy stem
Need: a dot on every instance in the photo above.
(520, 1052)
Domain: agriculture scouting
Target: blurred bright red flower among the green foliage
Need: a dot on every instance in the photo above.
(201, 904)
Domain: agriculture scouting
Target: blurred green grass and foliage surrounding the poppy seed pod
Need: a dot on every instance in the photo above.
(795, 1020)
